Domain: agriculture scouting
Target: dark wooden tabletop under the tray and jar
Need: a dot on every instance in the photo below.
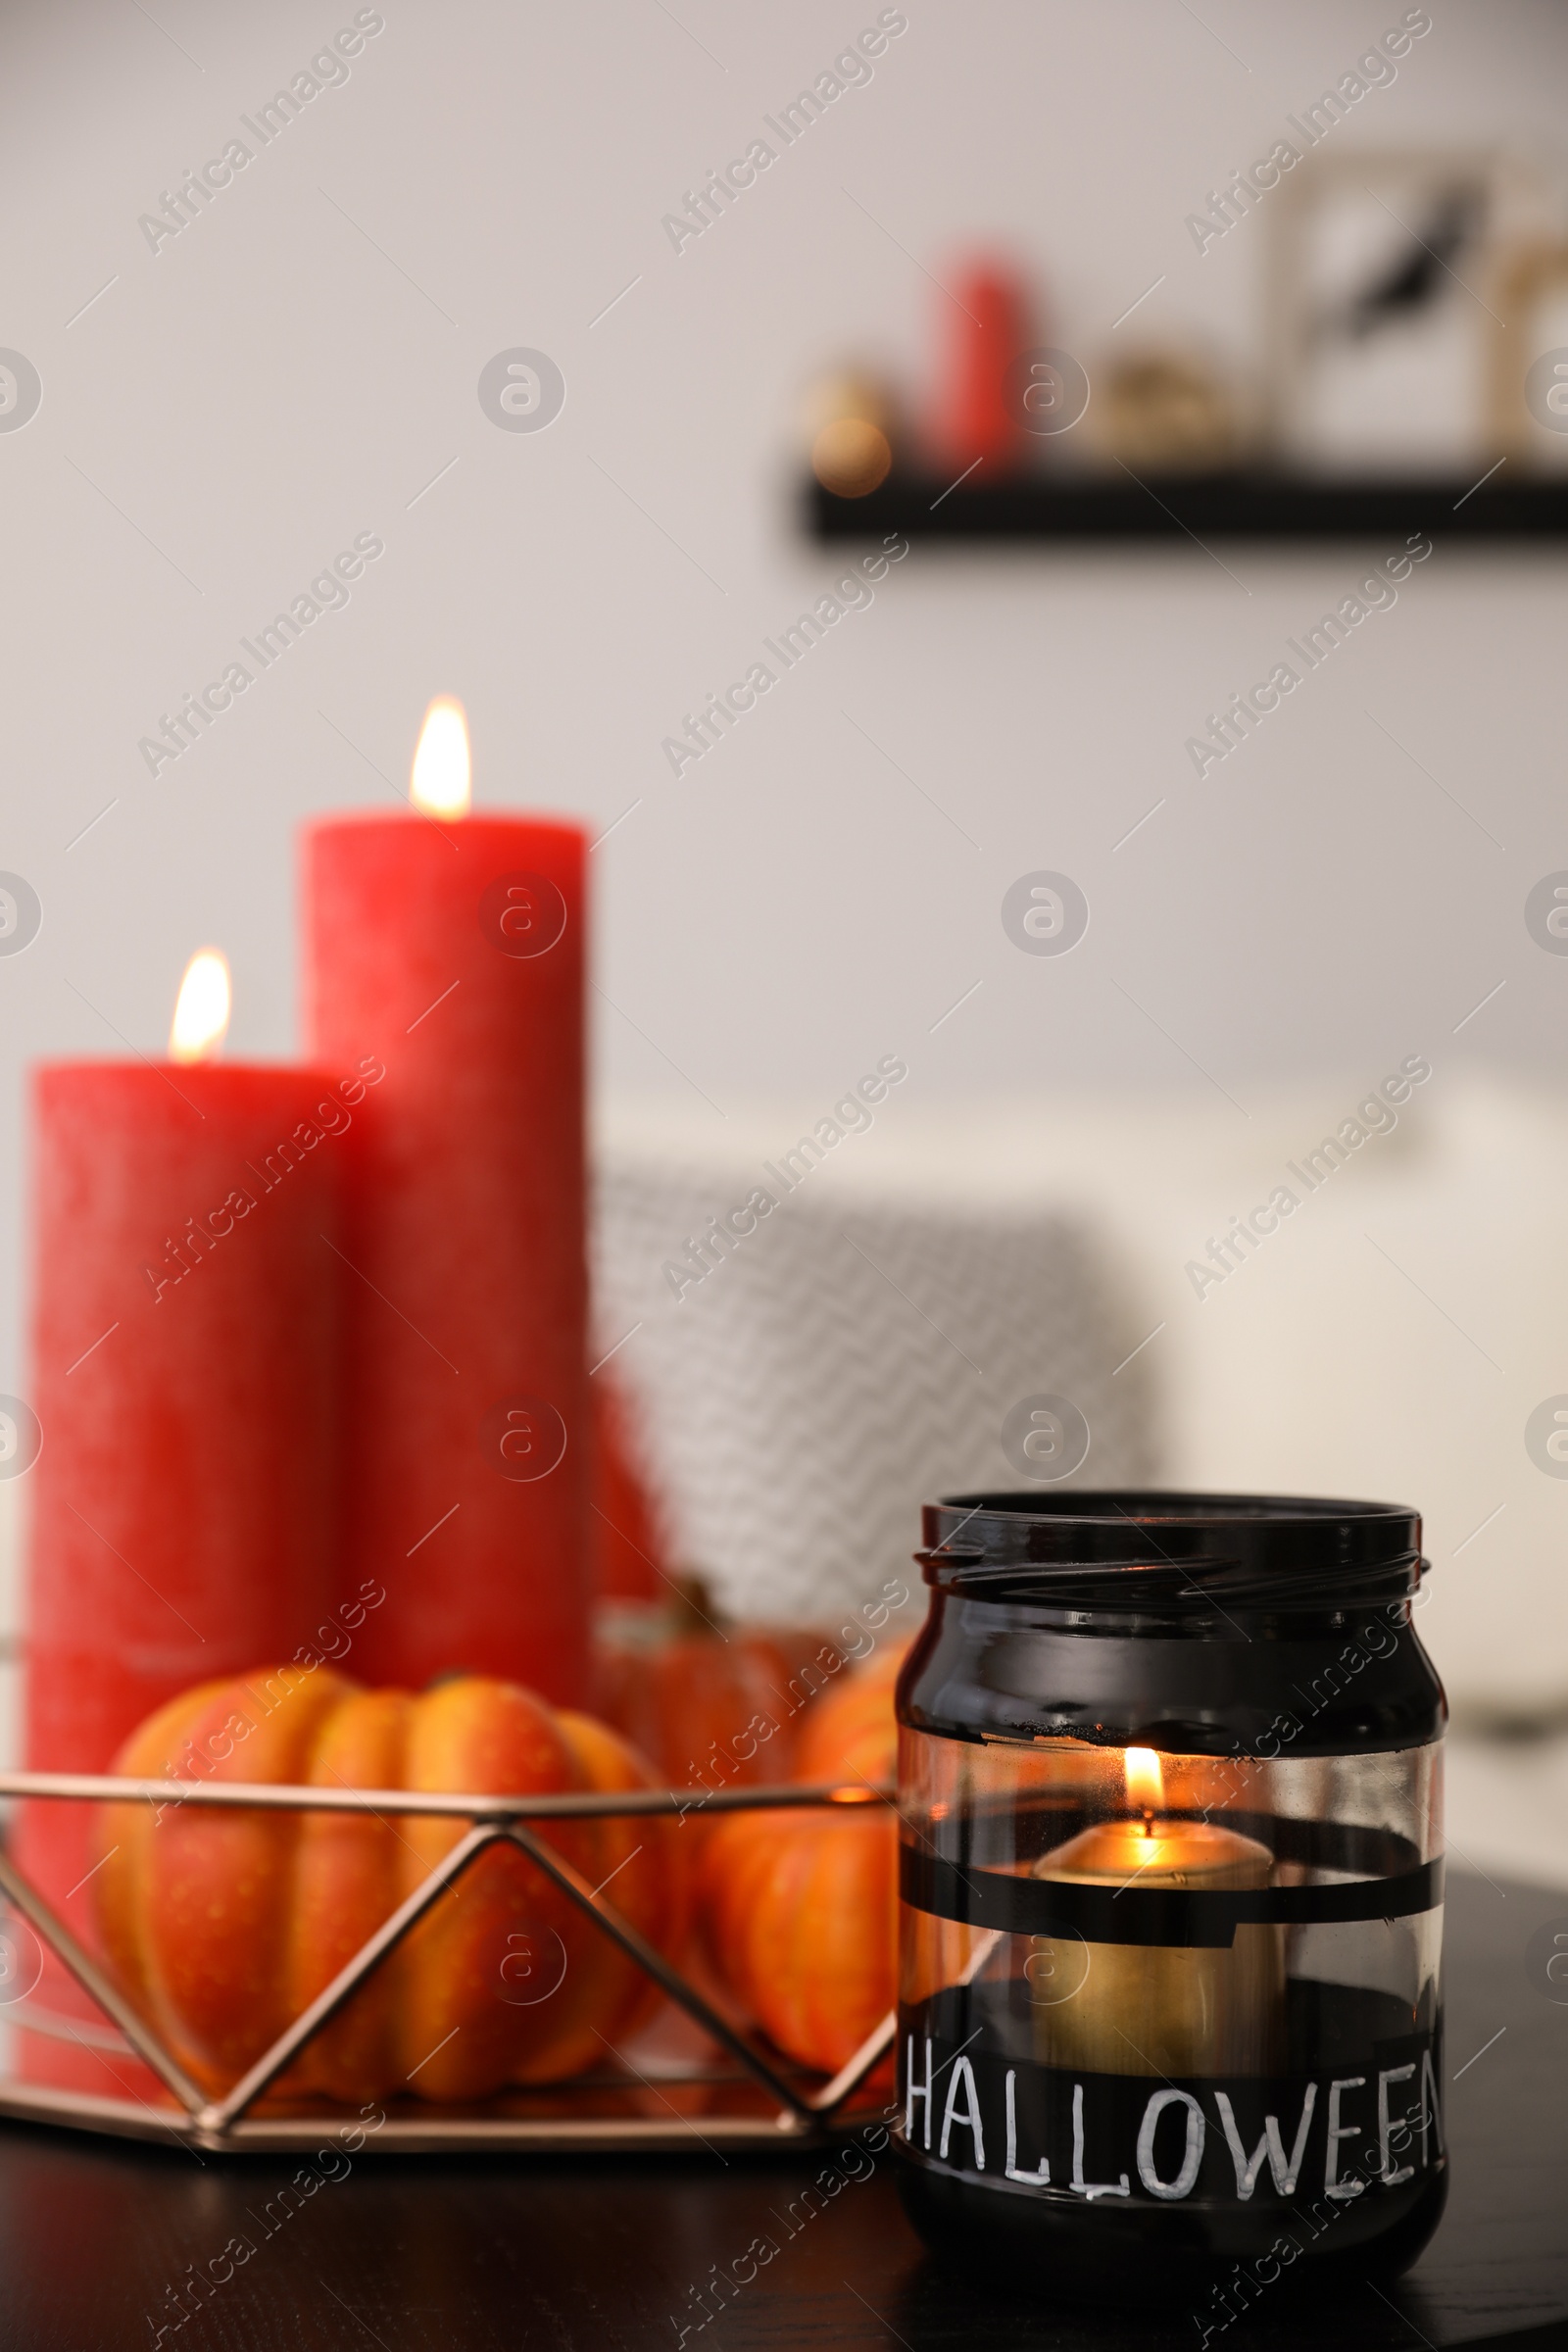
(612, 2257)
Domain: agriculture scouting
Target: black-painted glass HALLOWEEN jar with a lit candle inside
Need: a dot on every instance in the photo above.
(1172, 1895)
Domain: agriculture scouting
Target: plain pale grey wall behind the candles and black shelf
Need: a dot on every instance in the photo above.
(276, 380)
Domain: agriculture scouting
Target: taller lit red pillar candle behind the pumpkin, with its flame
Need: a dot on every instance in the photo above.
(450, 947)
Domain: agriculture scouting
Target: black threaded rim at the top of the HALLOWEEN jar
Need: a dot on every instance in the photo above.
(1120, 1549)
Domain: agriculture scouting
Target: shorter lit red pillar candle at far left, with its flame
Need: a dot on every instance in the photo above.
(185, 1384)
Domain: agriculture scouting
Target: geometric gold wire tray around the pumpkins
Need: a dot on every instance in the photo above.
(756, 2102)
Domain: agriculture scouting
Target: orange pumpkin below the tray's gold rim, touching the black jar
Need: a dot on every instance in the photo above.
(803, 1923)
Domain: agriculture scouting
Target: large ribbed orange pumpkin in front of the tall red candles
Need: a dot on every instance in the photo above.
(227, 1925)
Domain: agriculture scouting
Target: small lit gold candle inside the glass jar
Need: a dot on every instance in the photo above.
(1160, 2010)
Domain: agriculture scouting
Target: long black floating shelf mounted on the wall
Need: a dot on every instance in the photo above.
(1184, 509)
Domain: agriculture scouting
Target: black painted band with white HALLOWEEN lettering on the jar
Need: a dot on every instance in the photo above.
(1320, 2139)
